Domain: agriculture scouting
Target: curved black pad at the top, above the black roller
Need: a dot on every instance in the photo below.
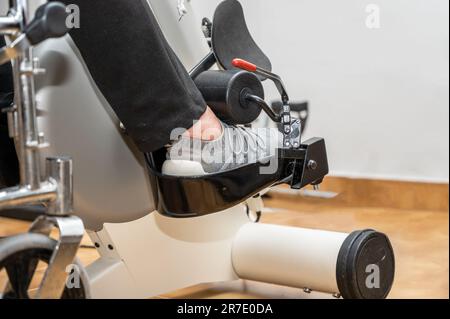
(231, 37)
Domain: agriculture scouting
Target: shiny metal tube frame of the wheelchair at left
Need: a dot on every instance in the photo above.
(55, 190)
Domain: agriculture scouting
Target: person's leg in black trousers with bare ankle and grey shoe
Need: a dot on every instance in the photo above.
(150, 90)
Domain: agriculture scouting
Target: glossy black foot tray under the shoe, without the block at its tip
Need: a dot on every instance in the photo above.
(187, 197)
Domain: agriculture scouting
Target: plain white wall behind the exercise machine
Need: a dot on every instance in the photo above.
(379, 96)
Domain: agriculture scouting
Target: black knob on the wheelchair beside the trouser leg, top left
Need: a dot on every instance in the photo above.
(49, 22)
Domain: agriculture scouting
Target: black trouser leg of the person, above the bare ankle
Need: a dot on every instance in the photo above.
(136, 70)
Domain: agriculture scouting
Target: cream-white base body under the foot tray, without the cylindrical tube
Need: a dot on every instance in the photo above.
(156, 255)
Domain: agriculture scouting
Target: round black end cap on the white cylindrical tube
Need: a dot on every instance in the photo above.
(366, 266)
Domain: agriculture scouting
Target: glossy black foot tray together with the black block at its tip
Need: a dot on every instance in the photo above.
(186, 197)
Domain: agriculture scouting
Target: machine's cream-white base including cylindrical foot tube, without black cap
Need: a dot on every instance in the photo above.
(156, 255)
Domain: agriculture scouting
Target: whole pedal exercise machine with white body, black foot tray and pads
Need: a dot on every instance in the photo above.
(160, 226)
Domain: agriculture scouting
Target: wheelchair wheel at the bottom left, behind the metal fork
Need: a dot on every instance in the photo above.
(23, 260)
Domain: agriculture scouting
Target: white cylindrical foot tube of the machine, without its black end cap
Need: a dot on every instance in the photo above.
(288, 256)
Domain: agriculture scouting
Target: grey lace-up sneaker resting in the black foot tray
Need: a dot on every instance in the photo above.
(238, 146)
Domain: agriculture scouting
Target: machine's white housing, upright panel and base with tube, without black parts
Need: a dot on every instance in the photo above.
(144, 254)
